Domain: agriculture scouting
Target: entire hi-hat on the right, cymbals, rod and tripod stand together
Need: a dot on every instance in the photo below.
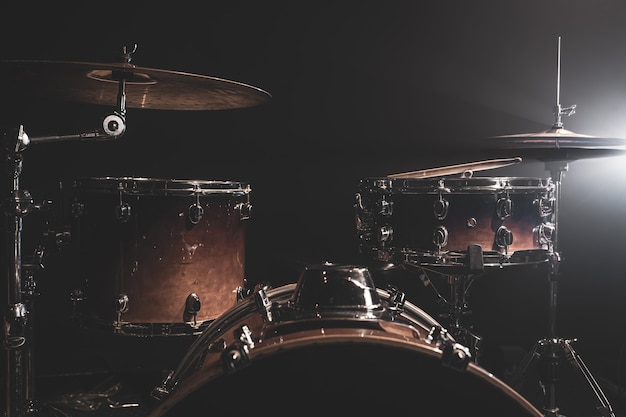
(555, 145)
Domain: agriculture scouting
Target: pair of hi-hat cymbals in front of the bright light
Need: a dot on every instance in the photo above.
(560, 143)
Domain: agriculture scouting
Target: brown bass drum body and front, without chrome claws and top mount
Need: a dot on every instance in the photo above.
(331, 367)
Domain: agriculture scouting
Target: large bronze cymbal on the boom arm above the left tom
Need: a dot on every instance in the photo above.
(145, 88)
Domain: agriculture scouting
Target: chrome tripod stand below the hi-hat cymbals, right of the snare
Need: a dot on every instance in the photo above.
(551, 350)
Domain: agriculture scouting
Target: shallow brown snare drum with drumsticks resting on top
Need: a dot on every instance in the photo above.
(399, 217)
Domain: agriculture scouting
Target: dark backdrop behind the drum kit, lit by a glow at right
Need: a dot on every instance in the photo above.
(359, 90)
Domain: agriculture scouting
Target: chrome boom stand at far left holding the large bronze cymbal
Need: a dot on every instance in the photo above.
(20, 399)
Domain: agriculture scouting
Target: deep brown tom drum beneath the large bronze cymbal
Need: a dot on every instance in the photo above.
(168, 246)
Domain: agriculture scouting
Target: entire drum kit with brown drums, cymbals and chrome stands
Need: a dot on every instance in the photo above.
(325, 340)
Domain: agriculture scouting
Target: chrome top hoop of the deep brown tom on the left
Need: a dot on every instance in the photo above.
(160, 186)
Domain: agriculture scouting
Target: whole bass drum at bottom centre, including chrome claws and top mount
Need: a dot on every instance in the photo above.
(331, 344)
